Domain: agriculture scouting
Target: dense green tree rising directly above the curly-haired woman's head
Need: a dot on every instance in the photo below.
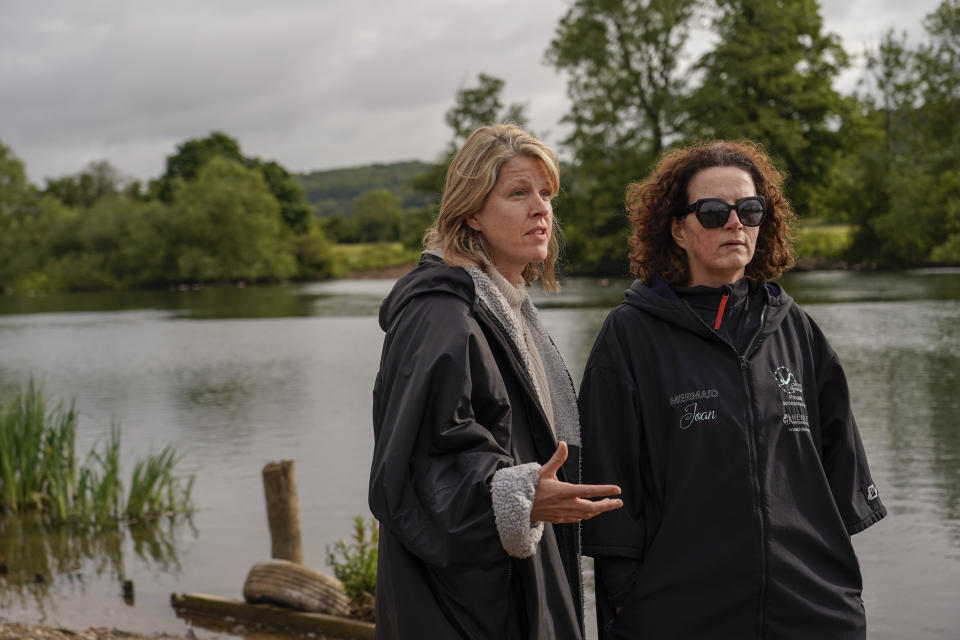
(770, 79)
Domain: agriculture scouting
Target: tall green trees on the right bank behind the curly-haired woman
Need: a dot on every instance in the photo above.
(885, 159)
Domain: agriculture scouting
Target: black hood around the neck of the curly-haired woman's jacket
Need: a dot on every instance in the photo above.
(660, 300)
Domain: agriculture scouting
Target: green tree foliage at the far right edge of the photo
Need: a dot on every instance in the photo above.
(900, 185)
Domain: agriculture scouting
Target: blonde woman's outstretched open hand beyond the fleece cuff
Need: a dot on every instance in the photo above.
(558, 502)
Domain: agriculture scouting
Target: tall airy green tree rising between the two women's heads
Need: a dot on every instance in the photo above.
(626, 82)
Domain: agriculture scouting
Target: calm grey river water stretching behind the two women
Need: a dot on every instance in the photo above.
(238, 377)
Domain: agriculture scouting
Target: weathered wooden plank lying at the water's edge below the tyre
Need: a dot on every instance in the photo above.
(198, 604)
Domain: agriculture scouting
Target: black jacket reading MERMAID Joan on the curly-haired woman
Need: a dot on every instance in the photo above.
(743, 475)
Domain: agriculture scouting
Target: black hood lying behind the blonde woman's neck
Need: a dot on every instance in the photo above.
(430, 276)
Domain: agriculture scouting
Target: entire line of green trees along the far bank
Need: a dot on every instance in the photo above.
(883, 160)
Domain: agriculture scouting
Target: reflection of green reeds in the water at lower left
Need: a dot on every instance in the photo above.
(40, 562)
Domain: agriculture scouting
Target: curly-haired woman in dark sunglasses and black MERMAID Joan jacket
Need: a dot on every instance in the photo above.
(719, 408)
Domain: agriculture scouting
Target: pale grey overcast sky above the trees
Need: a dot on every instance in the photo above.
(312, 84)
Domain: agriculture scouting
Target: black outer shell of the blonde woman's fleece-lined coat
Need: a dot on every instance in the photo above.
(452, 405)
